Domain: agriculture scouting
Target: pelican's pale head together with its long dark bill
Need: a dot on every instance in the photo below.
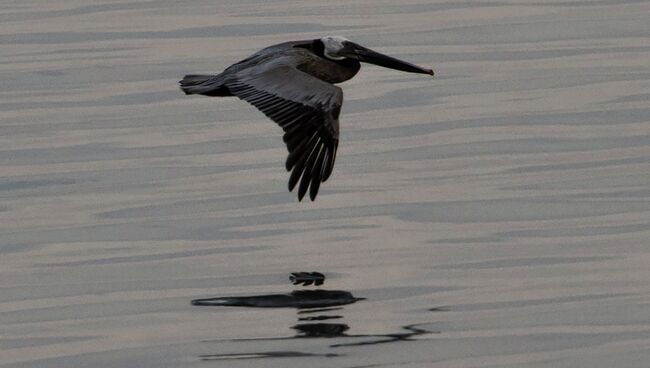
(340, 48)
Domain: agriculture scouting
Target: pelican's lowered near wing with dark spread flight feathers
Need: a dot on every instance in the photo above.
(307, 109)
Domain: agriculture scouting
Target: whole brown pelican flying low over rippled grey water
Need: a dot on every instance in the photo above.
(292, 84)
